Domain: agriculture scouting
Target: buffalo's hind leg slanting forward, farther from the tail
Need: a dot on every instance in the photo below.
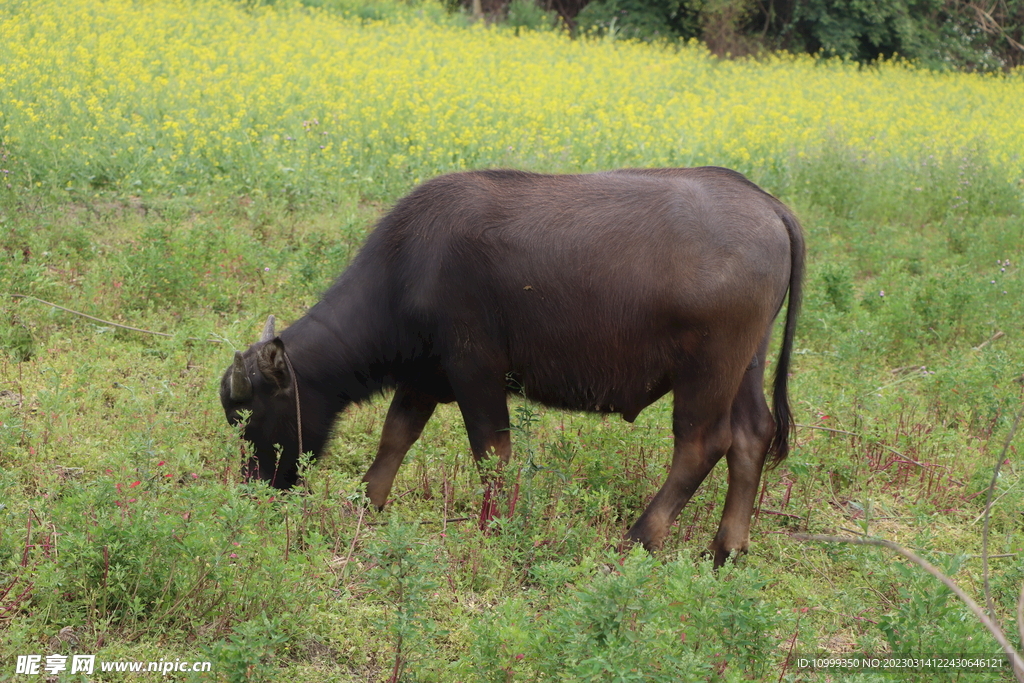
(703, 435)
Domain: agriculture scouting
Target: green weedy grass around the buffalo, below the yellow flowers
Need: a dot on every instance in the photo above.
(125, 522)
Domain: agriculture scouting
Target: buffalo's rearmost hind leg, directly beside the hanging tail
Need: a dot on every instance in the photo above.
(753, 429)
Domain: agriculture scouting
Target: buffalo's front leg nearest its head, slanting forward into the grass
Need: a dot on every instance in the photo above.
(406, 418)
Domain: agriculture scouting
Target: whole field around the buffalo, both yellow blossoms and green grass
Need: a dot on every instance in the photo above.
(190, 168)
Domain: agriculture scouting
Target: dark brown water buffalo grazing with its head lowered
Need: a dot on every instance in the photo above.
(599, 292)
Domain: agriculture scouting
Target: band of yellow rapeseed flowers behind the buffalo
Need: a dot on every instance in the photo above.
(166, 97)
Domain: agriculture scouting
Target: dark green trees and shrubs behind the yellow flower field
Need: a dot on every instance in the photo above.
(938, 34)
